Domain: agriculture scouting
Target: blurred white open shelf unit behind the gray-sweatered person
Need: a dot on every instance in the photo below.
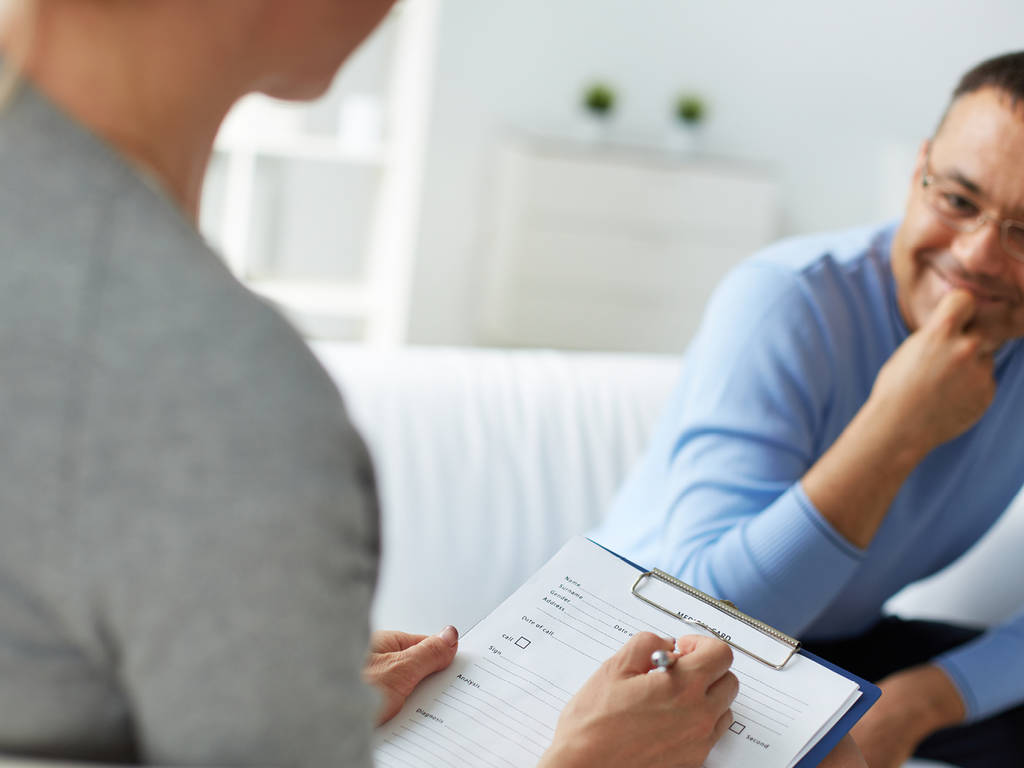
(316, 207)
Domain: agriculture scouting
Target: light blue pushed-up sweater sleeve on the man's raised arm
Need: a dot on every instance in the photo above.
(758, 385)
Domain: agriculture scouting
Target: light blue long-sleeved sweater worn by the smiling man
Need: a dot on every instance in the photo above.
(788, 352)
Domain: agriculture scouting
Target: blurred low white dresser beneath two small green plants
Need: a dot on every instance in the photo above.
(593, 246)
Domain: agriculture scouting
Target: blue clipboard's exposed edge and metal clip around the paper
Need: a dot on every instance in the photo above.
(870, 693)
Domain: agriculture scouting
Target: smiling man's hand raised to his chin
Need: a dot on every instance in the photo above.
(941, 381)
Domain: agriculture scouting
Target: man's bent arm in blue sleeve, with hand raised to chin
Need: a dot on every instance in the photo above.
(752, 513)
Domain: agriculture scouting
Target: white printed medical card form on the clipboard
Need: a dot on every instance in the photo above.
(498, 704)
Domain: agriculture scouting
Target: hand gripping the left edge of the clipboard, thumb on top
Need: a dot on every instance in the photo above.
(399, 663)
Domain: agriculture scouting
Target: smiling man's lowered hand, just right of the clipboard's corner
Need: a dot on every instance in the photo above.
(915, 704)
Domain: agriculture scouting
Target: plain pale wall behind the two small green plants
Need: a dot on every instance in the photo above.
(833, 99)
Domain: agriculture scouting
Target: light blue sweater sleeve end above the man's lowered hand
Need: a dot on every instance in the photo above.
(984, 670)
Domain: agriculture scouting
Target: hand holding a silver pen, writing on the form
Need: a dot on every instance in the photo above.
(627, 715)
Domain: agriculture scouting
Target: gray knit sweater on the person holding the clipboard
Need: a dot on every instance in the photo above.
(189, 531)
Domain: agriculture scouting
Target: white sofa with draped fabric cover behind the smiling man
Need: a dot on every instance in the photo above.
(489, 461)
